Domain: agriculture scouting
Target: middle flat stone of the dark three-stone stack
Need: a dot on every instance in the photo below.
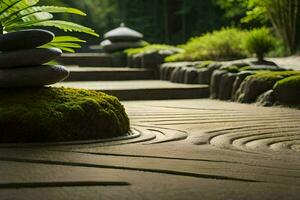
(28, 57)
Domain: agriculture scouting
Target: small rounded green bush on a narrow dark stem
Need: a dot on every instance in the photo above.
(259, 41)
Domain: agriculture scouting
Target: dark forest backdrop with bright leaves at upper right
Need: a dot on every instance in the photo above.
(175, 21)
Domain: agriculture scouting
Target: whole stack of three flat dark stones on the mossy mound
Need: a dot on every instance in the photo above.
(22, 62)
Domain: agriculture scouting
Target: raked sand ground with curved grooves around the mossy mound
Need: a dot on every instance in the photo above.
(180, 149)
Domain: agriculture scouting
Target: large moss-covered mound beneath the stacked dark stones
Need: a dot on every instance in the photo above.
(59, 114)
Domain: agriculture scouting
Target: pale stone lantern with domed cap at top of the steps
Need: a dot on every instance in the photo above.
(121, 38)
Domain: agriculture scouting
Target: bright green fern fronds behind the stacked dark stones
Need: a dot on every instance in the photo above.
(26, 14)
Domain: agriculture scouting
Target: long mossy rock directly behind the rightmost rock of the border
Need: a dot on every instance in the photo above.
(257, 84)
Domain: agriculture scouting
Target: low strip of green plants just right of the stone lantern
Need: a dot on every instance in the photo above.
(151, 48)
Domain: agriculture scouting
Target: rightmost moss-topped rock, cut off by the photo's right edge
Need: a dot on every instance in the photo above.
(287, 91)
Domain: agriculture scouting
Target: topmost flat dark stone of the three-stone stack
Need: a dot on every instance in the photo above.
(25, 39)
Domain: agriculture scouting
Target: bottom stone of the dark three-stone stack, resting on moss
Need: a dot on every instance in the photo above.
(32, 76)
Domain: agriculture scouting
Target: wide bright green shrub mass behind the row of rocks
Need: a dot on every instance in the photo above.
(224, 44)
